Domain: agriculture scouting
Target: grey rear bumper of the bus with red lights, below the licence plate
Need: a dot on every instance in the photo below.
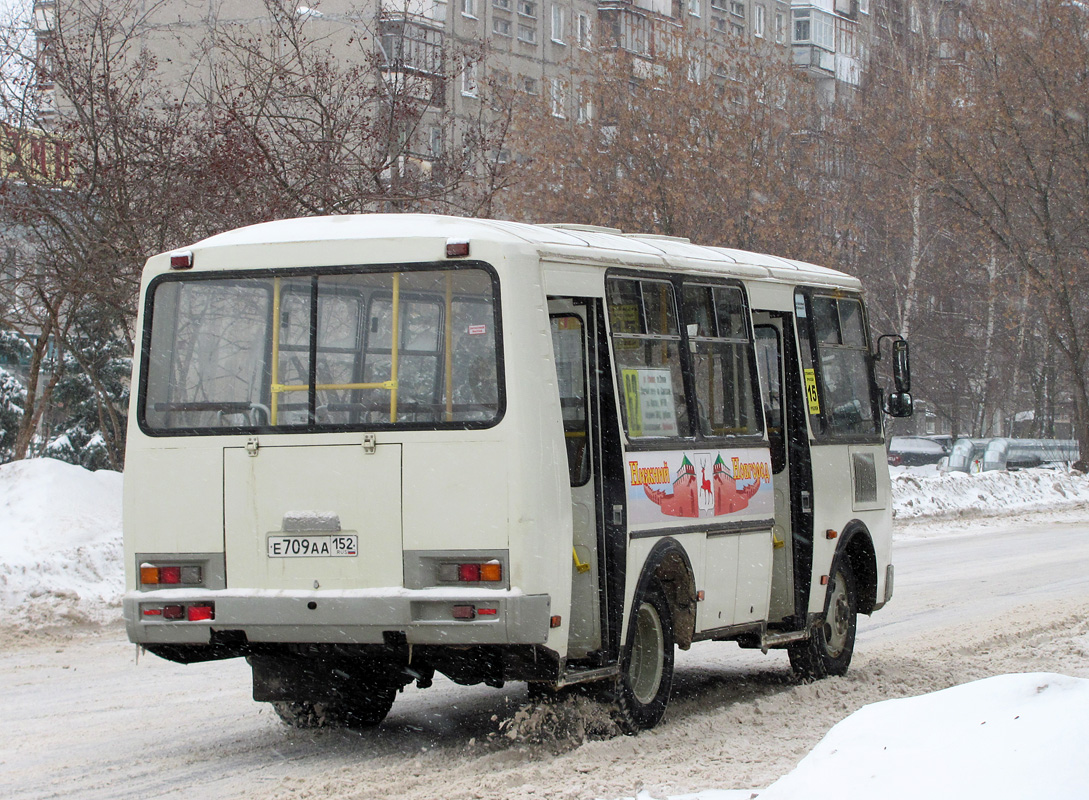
(180, 617)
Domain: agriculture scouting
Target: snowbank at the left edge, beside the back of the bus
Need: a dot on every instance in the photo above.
(60, 544)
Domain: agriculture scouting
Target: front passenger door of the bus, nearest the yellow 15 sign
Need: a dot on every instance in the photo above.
(782, 397)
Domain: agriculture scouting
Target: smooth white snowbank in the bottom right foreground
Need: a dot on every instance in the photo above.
(1004, 739)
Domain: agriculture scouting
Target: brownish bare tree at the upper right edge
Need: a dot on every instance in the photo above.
(1014, 147)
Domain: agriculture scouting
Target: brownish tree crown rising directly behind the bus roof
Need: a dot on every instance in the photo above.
(700, 144)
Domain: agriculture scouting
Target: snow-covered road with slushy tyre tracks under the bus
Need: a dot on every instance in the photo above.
(84, 720)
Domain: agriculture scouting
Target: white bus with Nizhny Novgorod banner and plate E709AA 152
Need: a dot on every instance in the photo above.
(364, 450)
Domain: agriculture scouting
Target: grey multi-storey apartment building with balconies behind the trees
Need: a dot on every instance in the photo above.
(532, 47)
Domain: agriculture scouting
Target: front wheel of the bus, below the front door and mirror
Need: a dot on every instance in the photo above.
(830, 645)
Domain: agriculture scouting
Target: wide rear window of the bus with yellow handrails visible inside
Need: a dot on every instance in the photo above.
(319, 352)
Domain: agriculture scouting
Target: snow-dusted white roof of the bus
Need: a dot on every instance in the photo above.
(571, 242)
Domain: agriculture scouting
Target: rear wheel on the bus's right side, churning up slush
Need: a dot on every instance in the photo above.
(646, 680)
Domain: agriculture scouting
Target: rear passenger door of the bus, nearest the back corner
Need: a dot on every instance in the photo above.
(573, 327)
